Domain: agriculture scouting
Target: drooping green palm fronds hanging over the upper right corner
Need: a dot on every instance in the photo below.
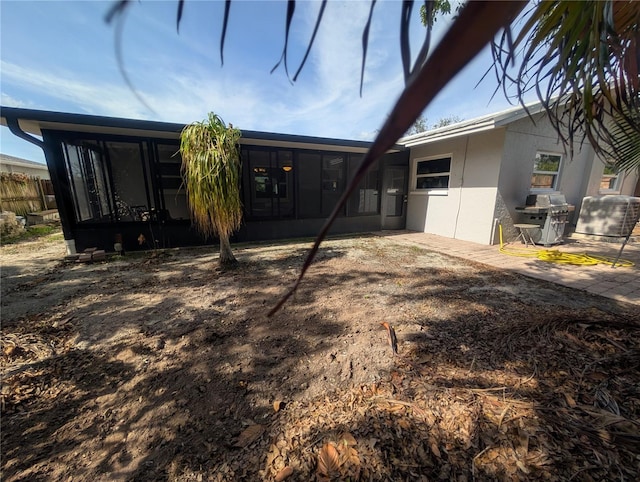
(581, 60)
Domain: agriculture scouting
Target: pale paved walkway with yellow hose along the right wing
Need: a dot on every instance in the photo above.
(619, 283)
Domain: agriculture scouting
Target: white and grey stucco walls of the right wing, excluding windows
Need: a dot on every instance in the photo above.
(491, 175)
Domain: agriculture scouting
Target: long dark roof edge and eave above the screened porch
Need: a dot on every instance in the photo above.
(36, 121)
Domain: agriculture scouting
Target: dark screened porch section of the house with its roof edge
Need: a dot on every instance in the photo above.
(118, 180)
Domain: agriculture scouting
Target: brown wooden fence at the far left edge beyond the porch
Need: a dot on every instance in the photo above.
(23, 194)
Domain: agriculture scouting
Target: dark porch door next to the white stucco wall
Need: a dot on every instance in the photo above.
(394, 197)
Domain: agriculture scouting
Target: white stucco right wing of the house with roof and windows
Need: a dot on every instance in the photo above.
(469, 177)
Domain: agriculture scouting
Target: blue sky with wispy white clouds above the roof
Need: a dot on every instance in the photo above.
(61, 56)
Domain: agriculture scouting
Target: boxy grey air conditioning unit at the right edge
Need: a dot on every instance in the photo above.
(608, 215)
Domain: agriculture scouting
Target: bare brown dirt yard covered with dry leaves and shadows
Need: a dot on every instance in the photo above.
(158, 366)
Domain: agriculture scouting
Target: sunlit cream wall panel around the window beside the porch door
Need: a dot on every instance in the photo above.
(466, 210)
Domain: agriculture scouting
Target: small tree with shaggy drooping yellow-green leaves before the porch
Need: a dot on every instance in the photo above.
(211, 172)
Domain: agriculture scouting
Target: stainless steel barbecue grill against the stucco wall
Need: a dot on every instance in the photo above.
(550, 212)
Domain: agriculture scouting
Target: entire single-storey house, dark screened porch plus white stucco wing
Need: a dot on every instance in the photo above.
(120, 178)
